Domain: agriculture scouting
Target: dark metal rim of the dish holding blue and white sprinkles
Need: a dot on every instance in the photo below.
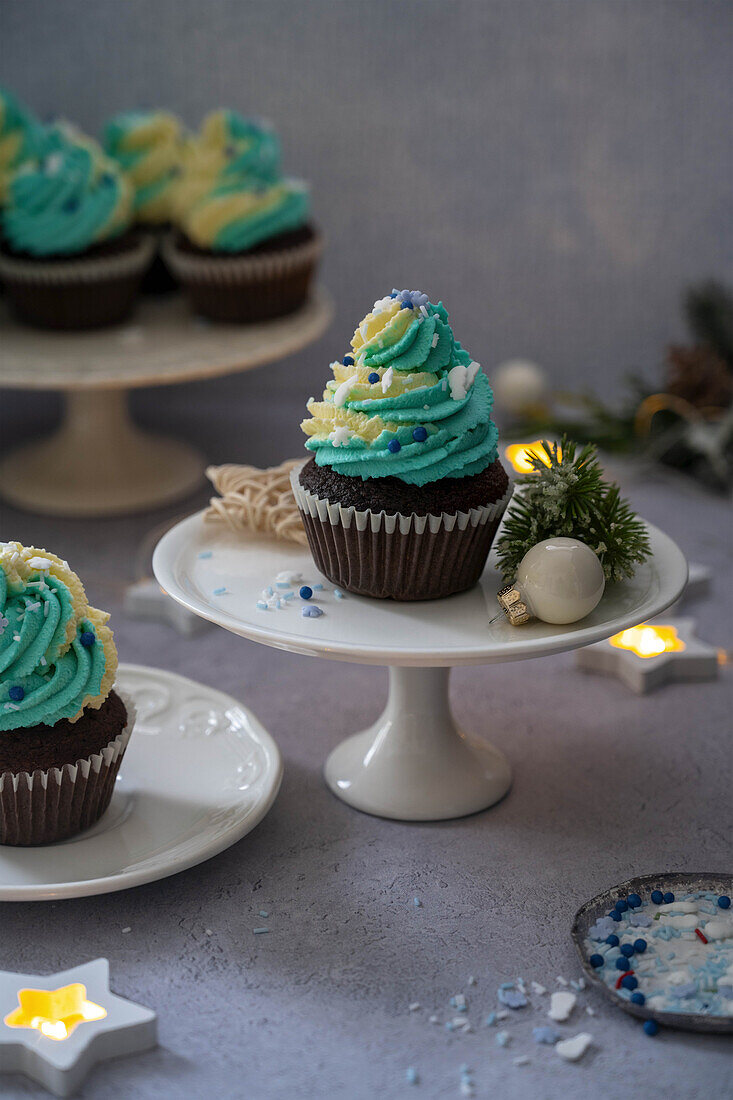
(681, 882)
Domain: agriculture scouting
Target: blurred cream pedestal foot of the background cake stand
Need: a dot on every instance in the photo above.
(100, 464)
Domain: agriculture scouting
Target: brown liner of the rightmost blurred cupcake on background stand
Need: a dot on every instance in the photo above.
(246, 289)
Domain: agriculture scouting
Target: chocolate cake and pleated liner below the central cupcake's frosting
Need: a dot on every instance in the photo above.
(429, 553)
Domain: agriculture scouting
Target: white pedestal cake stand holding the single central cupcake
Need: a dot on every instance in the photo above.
(414, 764)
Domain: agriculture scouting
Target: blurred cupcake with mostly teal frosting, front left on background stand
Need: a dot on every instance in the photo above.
(70, 259)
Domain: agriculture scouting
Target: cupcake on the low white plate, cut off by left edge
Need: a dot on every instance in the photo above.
(63, 729)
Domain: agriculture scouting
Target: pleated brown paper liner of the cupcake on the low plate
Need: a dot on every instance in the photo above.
(42, 807)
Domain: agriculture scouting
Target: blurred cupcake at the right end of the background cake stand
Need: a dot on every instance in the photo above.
(246, 250)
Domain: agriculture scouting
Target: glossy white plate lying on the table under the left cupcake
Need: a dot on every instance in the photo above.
(199, 775)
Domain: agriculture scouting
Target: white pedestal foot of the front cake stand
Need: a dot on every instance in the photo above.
(415, 764)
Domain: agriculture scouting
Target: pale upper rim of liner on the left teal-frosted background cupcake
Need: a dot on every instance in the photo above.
(81, 269)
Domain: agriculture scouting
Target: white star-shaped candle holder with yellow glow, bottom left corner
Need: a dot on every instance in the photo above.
(56, 1028)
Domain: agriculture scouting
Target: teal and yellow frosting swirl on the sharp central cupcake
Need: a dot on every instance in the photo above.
(429, 419)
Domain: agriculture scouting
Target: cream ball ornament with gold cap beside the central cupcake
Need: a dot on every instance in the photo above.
(560, 581)
